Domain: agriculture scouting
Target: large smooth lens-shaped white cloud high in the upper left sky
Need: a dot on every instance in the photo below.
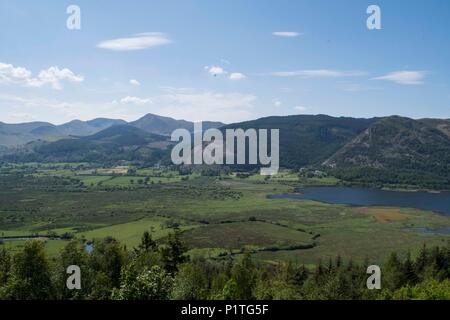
(137, 42)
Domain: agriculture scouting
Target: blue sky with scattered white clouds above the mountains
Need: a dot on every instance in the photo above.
(223, 60)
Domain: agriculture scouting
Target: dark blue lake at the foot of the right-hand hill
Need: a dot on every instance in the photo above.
(438, 202)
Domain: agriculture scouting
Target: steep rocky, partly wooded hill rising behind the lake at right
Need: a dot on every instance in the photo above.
(396, 150)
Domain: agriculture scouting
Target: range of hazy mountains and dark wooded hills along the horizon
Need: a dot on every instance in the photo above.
(394, 150)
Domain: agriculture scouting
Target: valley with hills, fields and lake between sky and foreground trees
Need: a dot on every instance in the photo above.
(108, 178)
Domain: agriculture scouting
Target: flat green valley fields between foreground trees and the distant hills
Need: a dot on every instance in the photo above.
(213, 214)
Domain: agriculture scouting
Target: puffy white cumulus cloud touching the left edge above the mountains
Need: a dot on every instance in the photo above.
(52, 76)
